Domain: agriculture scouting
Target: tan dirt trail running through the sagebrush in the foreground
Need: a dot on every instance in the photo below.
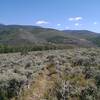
(41, 85)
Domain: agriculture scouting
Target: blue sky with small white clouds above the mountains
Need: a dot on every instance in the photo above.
(59, 14)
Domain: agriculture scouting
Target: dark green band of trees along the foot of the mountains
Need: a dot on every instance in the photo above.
(26, 48)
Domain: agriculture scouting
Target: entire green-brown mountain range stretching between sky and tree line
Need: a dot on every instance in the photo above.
(27, 34)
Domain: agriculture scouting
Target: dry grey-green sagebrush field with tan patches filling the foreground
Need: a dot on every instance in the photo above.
(72, 74)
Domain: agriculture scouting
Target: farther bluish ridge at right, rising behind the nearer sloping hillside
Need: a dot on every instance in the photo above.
(84, 34)
